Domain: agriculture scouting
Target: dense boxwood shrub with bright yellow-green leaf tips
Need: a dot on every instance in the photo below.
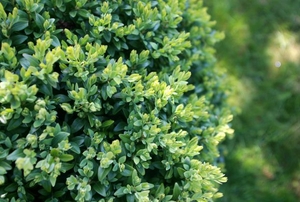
(109, 101)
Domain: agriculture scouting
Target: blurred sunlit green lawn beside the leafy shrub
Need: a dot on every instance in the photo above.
(261, 53)
